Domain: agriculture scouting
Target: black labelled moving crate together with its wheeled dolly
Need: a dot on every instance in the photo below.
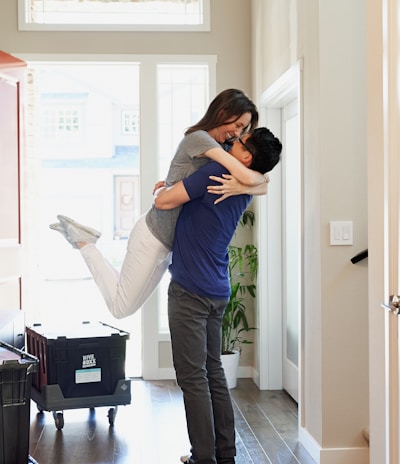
(80, 366)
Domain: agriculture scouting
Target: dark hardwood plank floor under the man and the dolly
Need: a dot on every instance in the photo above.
(152, 429)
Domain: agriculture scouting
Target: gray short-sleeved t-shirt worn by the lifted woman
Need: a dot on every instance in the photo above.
(188, 158)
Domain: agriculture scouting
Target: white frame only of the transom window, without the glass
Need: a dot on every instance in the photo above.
(24, 25)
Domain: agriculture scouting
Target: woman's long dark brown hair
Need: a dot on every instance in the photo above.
(227, 107)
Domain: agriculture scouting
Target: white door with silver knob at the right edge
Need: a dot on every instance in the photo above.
(391, 227)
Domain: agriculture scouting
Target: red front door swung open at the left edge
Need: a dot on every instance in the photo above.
(12, 91)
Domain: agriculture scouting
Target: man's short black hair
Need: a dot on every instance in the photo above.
(265, 148)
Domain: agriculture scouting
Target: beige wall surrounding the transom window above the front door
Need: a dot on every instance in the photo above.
(229, 39)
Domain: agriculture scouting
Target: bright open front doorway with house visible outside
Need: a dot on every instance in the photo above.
(83, 160)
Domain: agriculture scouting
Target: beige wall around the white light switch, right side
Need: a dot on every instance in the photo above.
(329, 38)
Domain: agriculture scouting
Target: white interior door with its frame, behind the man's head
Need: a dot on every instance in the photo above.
(279, 232)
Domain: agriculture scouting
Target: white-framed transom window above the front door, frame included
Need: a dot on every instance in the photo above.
(114, 15)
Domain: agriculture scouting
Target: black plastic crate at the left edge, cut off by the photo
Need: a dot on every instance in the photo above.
(16, 369)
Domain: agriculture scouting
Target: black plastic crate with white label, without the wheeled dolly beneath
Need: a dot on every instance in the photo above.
(84, 360)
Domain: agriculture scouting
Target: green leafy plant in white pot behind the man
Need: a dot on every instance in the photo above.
(242, 270)
